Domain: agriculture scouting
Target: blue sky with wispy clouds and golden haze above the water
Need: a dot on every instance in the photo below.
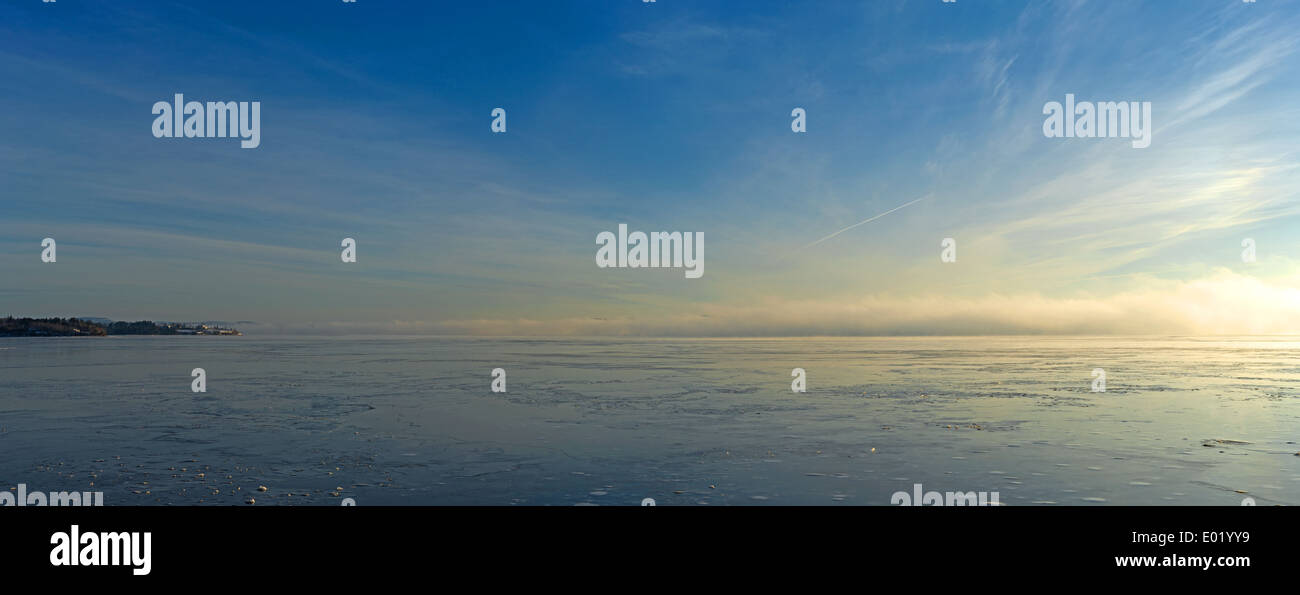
(675, 116)
